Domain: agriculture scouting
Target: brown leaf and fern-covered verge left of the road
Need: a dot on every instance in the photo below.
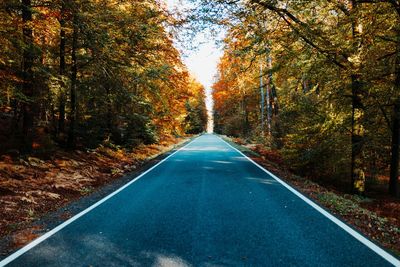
(31, 188)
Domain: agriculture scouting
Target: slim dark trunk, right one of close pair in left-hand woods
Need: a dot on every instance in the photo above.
(74, 69)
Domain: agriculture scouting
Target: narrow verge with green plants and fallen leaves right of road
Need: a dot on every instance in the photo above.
(376, 218)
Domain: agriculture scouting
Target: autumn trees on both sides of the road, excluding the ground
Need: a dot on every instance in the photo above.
(319, 81)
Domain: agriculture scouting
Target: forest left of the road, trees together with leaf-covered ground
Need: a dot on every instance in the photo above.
(89, 91)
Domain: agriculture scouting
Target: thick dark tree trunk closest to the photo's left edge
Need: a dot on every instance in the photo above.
(28, 109)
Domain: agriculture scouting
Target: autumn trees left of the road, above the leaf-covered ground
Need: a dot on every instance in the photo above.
(84, 71)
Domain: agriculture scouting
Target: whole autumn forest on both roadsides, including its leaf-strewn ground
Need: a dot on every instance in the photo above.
(91, 90)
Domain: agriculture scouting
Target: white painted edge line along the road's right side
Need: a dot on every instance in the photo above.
(391, 259)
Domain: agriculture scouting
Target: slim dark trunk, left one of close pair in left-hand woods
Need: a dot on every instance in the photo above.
(61, 108)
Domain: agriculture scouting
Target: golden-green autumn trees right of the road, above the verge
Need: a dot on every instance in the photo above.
(329, 95)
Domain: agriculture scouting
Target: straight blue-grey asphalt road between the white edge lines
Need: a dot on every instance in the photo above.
(206, 205)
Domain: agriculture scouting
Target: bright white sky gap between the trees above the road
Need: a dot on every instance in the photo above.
(202, 62)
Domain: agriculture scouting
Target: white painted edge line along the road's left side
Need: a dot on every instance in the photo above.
(43, 237)
